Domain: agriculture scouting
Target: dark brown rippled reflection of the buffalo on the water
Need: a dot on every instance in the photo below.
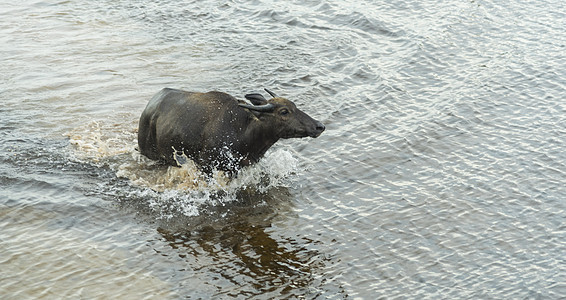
(237, 240)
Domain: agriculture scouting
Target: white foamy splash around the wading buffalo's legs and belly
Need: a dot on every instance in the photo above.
(172, 190)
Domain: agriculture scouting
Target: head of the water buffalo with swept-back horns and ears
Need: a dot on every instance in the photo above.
(285, 119)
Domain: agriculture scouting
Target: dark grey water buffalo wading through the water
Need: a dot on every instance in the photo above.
(216, 130)
